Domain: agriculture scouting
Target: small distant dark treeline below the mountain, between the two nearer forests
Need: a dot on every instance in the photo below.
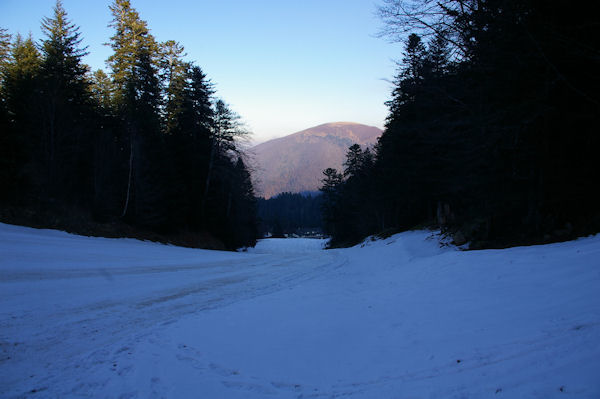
(289, 213)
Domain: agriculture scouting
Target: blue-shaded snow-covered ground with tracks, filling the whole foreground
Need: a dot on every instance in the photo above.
(398, 318)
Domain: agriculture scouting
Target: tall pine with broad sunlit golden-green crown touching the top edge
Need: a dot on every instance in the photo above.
(138, 101)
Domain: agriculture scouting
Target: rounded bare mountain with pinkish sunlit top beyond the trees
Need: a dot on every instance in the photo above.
(295, 163)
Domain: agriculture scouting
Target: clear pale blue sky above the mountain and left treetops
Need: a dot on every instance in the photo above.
(283, 65)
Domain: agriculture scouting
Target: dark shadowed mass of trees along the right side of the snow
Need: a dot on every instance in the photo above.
(492, 132)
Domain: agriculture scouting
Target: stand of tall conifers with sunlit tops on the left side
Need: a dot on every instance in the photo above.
(146, 145)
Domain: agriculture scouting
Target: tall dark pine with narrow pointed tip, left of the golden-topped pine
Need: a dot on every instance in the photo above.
(66, 104)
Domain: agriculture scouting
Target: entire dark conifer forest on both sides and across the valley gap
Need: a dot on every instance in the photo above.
(492, 134)
